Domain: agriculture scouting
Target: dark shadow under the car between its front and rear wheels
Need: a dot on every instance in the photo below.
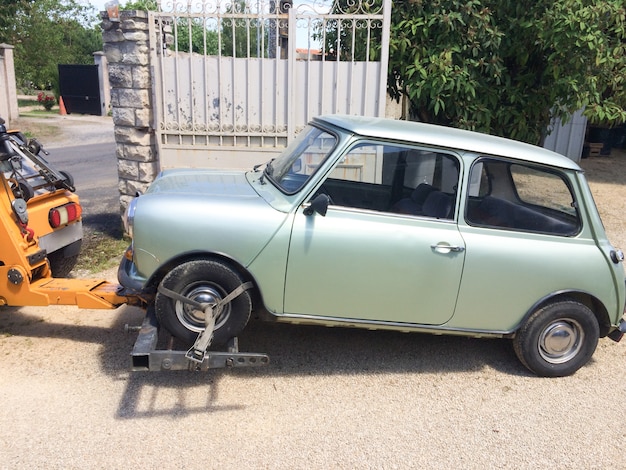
(306, 350)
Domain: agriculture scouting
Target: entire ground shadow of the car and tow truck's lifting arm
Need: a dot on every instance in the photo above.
(293, 351)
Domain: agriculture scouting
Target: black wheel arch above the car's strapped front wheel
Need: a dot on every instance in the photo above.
(244, 273)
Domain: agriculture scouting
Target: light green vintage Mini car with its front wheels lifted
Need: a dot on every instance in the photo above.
(384, 224)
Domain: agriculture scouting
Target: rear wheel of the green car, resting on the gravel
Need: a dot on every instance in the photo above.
(558, 339)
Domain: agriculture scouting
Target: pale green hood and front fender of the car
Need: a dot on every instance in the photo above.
(201, 211)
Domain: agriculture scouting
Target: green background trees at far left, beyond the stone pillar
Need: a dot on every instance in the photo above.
(46, 33)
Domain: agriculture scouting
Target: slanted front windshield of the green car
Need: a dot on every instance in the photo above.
(301, 159)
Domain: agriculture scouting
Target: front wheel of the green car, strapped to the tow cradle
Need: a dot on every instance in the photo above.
(202, 281)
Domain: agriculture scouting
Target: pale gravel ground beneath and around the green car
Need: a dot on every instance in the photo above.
(331, 398)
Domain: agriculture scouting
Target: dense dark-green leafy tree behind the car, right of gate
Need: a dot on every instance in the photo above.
(508, 67)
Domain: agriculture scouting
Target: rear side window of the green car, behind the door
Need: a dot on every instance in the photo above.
(511, 196)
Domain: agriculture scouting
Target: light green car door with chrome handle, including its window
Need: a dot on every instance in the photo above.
(373, 265)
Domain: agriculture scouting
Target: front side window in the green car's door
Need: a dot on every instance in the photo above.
(395, 178)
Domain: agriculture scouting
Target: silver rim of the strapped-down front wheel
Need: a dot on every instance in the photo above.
(194, 320)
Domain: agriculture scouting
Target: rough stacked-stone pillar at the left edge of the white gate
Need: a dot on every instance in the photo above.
(127, 50)
